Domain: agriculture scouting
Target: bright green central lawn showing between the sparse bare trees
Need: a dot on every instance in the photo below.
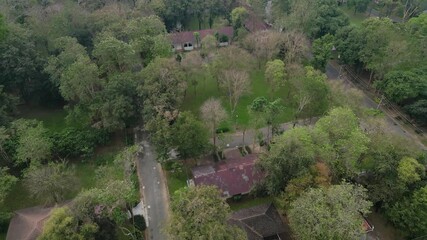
(208, 88)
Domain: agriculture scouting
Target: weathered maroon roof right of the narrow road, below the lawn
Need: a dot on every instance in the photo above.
(234, 176)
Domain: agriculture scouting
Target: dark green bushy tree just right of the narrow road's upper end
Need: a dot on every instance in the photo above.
(190, 136)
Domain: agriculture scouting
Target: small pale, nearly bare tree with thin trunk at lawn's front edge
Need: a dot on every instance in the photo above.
(213, 114)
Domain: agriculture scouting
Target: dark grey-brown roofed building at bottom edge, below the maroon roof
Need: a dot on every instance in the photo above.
(261, 222)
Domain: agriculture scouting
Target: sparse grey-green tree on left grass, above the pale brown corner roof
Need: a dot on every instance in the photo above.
(50, 182)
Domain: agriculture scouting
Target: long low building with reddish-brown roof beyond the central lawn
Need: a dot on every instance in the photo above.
(187, 40)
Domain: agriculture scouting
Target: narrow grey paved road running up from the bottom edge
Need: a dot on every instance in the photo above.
(153, 190)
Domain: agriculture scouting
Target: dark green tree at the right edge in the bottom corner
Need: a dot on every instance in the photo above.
(410, 214)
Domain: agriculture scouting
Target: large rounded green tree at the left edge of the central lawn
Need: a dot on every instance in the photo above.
(163, 87)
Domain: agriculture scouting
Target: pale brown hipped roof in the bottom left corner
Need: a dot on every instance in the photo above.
(27, 224)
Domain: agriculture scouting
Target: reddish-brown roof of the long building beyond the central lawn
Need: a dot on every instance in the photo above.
(188, 36)
